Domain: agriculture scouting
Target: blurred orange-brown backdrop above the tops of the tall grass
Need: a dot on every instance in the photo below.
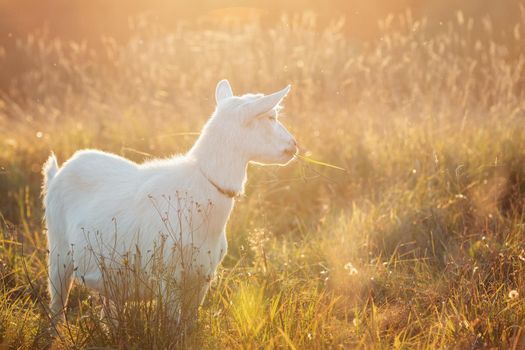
(88, 21)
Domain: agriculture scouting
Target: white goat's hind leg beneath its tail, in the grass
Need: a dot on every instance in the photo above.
(60, 279)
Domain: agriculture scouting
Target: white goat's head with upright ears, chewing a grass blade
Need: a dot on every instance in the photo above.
(251, 125)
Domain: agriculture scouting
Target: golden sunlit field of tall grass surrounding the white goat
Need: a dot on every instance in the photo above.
(417, 243)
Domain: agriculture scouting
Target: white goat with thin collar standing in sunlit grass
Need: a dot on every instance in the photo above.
(100, 197)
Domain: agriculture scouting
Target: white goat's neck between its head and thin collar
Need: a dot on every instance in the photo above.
(220, 163)
